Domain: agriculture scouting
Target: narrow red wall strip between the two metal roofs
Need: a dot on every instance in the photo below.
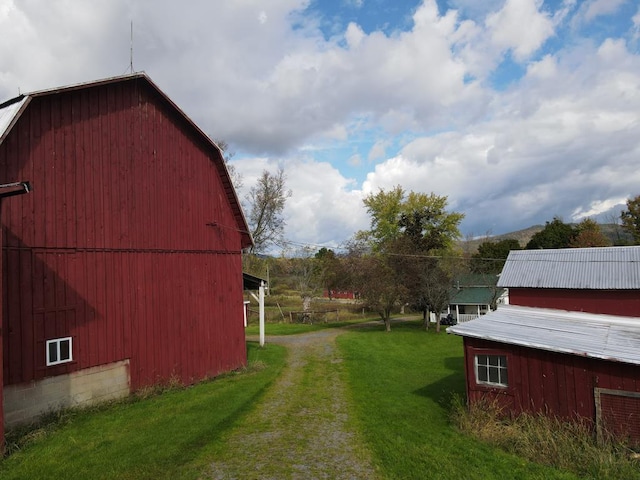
(611, 302)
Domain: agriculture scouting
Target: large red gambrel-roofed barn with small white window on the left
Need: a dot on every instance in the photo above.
(122, 268)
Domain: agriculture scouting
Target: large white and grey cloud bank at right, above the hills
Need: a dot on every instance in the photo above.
(564, 143)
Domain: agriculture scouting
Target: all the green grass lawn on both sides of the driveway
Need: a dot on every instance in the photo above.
(401, 385)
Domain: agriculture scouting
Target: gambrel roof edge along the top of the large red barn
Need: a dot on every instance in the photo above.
(11, 110)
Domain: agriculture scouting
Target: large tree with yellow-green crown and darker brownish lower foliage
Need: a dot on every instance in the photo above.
(406, 229)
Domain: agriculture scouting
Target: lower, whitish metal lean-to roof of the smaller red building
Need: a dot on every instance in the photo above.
(599, 336)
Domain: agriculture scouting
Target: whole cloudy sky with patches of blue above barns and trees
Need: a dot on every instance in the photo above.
(516, 110)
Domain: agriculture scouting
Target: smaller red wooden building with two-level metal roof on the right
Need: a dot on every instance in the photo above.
(569, 343)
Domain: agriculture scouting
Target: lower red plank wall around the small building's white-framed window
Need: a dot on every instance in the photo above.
(553, 383)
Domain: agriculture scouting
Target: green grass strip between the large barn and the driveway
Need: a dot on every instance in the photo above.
(162, 437)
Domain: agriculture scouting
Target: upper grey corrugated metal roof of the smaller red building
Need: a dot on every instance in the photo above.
(606, 268)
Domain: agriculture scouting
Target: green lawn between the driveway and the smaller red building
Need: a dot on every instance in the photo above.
(402, 384)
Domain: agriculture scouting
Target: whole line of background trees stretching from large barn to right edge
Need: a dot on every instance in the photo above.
(409, 255)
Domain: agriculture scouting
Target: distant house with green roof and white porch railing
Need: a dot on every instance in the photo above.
(475, 295)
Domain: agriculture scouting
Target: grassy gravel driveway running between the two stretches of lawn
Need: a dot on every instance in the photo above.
(288, 436)
